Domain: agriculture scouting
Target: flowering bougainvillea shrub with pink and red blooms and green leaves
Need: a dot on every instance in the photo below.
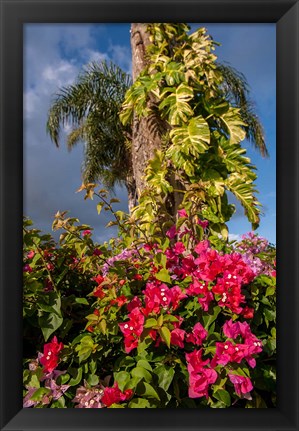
(176, 320)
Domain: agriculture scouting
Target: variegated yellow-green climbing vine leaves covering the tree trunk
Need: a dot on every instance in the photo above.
(205, 128)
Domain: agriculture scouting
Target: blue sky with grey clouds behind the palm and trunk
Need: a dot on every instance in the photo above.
(54, 54)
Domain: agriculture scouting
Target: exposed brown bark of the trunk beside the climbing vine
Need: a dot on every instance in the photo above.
(146, 137)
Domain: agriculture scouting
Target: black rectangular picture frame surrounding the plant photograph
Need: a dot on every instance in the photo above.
(15, 13)
